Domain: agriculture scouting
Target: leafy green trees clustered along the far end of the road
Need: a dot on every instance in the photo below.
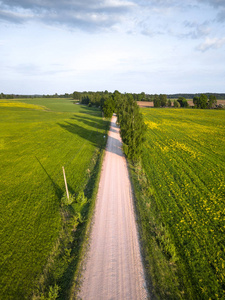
(132, 126)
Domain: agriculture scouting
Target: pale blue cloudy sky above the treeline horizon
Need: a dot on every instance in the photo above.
(151, 46)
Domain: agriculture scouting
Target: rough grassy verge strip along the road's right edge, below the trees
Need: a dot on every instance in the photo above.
(159, 255)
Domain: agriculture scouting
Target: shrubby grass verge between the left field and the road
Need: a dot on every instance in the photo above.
(62, 272)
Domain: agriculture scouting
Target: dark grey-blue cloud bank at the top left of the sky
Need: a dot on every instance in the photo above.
(89, 15)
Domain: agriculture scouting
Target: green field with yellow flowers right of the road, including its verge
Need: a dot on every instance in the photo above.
(182, 206)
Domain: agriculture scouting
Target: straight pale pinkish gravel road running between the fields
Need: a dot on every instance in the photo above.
(114, 269)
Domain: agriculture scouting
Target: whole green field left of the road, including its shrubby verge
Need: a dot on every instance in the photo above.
(41, 232)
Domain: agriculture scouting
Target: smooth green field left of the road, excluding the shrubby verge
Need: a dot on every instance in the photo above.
(37, 138)
